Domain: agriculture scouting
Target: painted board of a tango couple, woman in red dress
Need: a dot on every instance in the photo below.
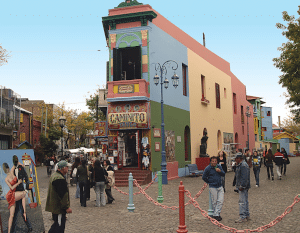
(17, 166)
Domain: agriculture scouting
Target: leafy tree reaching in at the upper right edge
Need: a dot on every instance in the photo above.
(289, 61)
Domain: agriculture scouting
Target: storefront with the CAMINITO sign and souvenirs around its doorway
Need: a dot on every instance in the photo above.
(128, 134)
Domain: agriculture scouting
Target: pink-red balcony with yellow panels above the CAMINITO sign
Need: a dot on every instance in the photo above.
(128, 90)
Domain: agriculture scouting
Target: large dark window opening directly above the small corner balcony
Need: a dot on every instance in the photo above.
(127, 63)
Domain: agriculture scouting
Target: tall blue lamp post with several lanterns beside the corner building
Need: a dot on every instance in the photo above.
(162, 69)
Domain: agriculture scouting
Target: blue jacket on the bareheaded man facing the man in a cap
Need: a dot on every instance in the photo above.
(212, 177)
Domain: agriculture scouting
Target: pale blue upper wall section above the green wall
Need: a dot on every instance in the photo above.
(163, 47)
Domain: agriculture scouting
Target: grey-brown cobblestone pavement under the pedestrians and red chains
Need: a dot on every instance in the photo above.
(266, 203)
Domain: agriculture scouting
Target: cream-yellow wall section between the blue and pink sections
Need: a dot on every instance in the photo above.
(208, 116)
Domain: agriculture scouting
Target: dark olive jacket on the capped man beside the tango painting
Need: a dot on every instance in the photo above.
(58, 199)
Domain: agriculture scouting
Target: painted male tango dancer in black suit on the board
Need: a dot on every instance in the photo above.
(20, 173)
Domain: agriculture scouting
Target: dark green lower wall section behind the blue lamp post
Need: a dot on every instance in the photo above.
(175, 119)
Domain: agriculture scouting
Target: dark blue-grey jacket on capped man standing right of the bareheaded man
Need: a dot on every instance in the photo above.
(242, 174)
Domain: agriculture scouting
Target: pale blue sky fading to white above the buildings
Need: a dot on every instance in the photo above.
(54, 44)
